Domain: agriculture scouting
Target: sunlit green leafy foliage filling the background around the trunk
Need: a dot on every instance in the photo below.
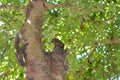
(90, 30)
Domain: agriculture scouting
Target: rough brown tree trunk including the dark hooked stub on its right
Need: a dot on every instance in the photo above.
(41, 65)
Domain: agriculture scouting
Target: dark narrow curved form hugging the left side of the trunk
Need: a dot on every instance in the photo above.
(20, 49)
